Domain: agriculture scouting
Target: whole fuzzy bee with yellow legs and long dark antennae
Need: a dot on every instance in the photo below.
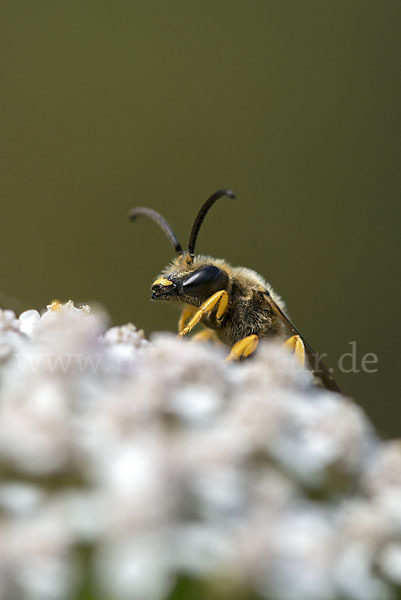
(235, 304)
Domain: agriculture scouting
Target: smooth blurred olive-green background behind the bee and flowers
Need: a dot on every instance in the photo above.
(293, 104)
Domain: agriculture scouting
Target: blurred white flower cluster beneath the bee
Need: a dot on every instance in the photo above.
(127, 466)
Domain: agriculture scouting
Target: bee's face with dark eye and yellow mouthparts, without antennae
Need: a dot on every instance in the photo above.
(192, 287)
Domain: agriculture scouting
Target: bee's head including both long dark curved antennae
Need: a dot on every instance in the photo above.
(188, 279)
